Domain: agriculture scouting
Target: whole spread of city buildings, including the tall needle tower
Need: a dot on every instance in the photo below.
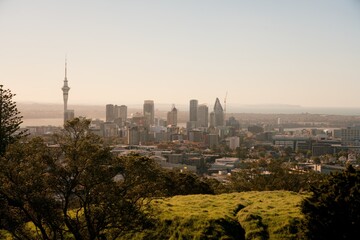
(199, 143)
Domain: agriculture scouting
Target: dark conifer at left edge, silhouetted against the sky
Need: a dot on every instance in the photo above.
(10, 120)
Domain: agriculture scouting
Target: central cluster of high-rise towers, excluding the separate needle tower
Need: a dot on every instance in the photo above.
(146, 129)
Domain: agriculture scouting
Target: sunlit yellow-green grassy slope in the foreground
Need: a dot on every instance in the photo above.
(247, 215)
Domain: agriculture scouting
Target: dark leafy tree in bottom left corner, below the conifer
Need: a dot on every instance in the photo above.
(24, 192)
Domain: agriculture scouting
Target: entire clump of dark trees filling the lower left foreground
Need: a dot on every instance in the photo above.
(76, 188)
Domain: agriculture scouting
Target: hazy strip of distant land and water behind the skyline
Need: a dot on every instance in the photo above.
(37, 110)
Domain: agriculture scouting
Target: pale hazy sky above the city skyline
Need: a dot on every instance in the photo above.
(304, 52)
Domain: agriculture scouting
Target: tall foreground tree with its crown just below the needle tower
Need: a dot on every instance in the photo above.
(84, 181)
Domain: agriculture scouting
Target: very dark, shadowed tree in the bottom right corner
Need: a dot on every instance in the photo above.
(333, 209)
